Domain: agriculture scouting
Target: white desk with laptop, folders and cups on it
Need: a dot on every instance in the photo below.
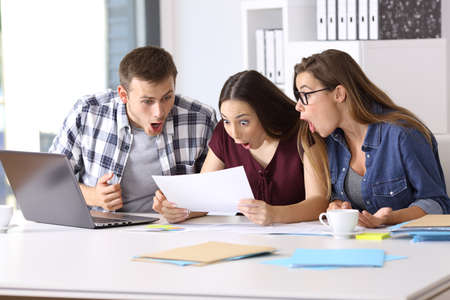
(56, 261)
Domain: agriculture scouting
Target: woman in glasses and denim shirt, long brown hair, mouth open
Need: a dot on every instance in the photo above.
(382, 159)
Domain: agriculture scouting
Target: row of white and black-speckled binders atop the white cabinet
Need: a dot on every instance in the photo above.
(378, 19)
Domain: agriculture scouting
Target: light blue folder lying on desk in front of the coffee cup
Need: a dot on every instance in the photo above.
(338, 258)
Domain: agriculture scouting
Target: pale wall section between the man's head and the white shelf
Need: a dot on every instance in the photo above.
(204, 37)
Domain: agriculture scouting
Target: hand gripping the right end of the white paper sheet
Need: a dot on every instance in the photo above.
(257, 211)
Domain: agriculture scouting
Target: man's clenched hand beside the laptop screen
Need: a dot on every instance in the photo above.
(108, 196)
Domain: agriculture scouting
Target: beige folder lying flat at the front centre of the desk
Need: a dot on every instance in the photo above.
(209, 252)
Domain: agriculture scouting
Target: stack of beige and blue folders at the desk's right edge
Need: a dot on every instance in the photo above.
(426, 228)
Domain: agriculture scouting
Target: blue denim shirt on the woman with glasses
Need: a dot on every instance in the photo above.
(401, 168)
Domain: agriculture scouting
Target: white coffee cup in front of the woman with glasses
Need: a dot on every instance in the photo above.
(342, 222)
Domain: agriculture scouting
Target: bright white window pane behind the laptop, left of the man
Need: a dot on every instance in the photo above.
(53, 53)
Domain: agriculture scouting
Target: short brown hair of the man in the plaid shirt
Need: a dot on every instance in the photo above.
(148, 63)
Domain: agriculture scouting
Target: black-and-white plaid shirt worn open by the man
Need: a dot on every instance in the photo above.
(96, 137)
